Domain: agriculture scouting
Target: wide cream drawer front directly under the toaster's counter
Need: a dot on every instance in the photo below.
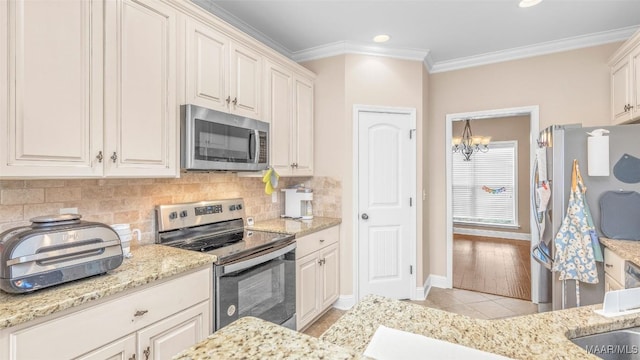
(81, 331)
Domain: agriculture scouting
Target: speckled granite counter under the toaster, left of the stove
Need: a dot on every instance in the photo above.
(149, 263)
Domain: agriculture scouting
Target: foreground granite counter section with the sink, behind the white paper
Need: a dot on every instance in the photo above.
(538, 336)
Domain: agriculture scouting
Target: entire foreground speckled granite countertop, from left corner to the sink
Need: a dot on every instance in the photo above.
(537, 336)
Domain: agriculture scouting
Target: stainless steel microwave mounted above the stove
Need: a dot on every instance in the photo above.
(213, 140)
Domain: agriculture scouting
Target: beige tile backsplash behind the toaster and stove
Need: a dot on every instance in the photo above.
(132, 201)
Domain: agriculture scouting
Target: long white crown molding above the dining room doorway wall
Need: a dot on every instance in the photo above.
(550, 47)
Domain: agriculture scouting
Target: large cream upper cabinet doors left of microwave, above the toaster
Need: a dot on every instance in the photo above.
(104, 104)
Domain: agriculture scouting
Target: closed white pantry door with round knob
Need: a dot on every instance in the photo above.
(386, 202)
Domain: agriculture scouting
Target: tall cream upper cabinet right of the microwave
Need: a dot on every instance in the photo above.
(289, 109)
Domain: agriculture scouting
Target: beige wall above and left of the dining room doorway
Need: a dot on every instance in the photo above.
(569, 87)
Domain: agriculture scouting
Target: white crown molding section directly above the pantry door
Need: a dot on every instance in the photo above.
(351, 47)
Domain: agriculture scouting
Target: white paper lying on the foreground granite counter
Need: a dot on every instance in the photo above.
(392, 344)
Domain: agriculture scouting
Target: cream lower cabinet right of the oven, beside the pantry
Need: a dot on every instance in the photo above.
(317, 274)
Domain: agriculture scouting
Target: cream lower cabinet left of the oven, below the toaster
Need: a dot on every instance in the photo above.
(155, 322)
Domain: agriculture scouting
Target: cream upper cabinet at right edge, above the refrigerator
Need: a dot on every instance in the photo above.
(625, 82)
